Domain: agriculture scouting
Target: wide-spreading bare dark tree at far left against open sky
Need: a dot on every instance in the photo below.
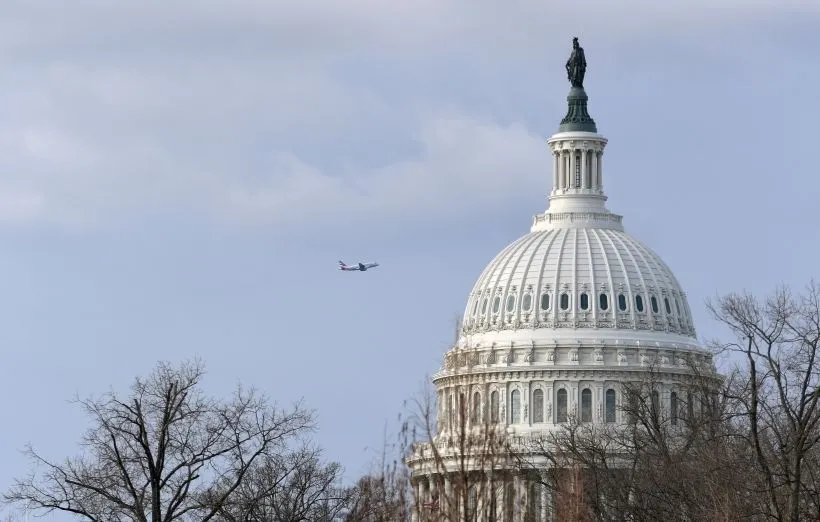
(165, 452)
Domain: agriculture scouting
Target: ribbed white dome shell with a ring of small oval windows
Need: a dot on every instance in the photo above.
(566, 280)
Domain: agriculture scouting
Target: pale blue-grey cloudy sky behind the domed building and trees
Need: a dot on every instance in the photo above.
(179, 178)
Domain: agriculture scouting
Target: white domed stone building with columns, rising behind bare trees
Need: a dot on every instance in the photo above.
(554, 326)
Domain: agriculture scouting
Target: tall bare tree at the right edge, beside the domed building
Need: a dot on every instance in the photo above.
(777, 342)
